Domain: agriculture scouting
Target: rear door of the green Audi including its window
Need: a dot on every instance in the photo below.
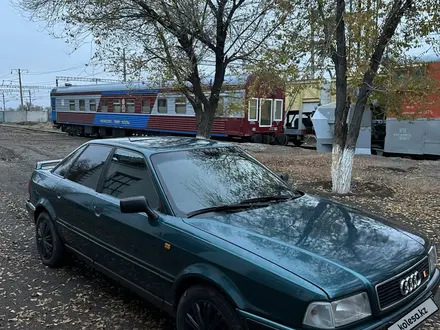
(75, 193)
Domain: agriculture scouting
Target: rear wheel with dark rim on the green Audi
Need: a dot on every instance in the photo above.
(49, 245)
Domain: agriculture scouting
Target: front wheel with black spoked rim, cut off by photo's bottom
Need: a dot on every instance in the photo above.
(208, 301)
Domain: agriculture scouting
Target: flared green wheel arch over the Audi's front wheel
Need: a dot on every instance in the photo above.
(214, 276)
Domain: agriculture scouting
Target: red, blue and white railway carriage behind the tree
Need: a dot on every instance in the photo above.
(136, 108)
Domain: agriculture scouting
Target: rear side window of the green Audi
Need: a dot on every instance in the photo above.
(88, 167)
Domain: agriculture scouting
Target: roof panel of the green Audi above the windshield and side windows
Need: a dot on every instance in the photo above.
(156, 144)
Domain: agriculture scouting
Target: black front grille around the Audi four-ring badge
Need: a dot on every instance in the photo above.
(388, 292)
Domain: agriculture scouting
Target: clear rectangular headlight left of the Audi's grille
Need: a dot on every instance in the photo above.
(330, 315)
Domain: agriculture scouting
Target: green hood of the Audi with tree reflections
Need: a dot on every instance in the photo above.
(337, 248)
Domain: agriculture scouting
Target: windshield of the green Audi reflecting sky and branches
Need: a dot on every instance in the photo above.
(203, 178)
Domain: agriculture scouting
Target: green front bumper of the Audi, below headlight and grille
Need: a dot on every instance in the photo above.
(256, 322)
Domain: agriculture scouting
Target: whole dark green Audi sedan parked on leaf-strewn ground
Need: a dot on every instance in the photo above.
(206, 232)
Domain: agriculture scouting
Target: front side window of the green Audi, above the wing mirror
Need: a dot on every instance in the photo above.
(128, 176)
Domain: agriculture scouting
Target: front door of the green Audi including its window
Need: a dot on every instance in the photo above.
(131, 242)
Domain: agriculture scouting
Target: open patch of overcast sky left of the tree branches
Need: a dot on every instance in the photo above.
(25, 45)
